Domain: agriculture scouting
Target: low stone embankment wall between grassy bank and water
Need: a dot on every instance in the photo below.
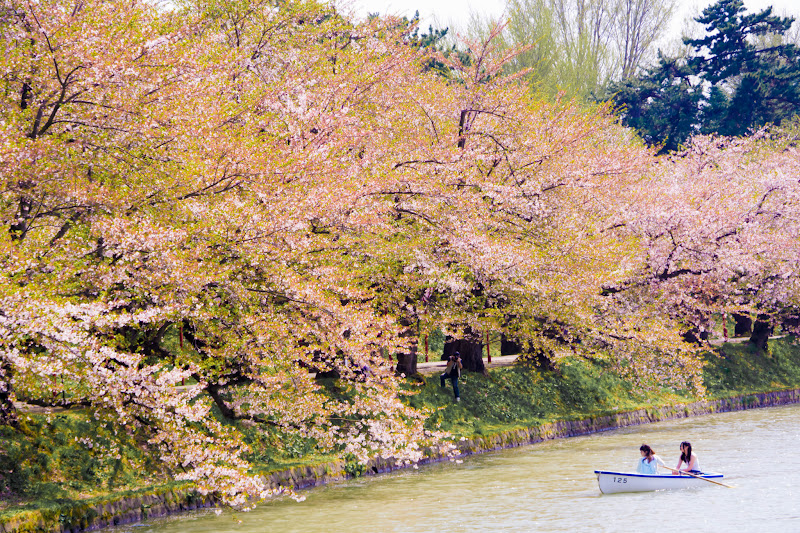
(163, 501)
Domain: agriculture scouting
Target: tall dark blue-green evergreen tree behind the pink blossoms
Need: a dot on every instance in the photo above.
(740, 76)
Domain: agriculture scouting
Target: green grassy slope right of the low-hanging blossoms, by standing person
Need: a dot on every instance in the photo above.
(519, 396)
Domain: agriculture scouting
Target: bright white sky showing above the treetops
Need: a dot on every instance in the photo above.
(455, 13)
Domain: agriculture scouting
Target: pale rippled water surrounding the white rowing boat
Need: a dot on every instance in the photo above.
(551, 487)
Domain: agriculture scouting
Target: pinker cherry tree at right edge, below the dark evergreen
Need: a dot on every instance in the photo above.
(720, 226)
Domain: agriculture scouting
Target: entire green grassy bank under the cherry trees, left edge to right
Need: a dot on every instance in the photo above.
(48, 466)
